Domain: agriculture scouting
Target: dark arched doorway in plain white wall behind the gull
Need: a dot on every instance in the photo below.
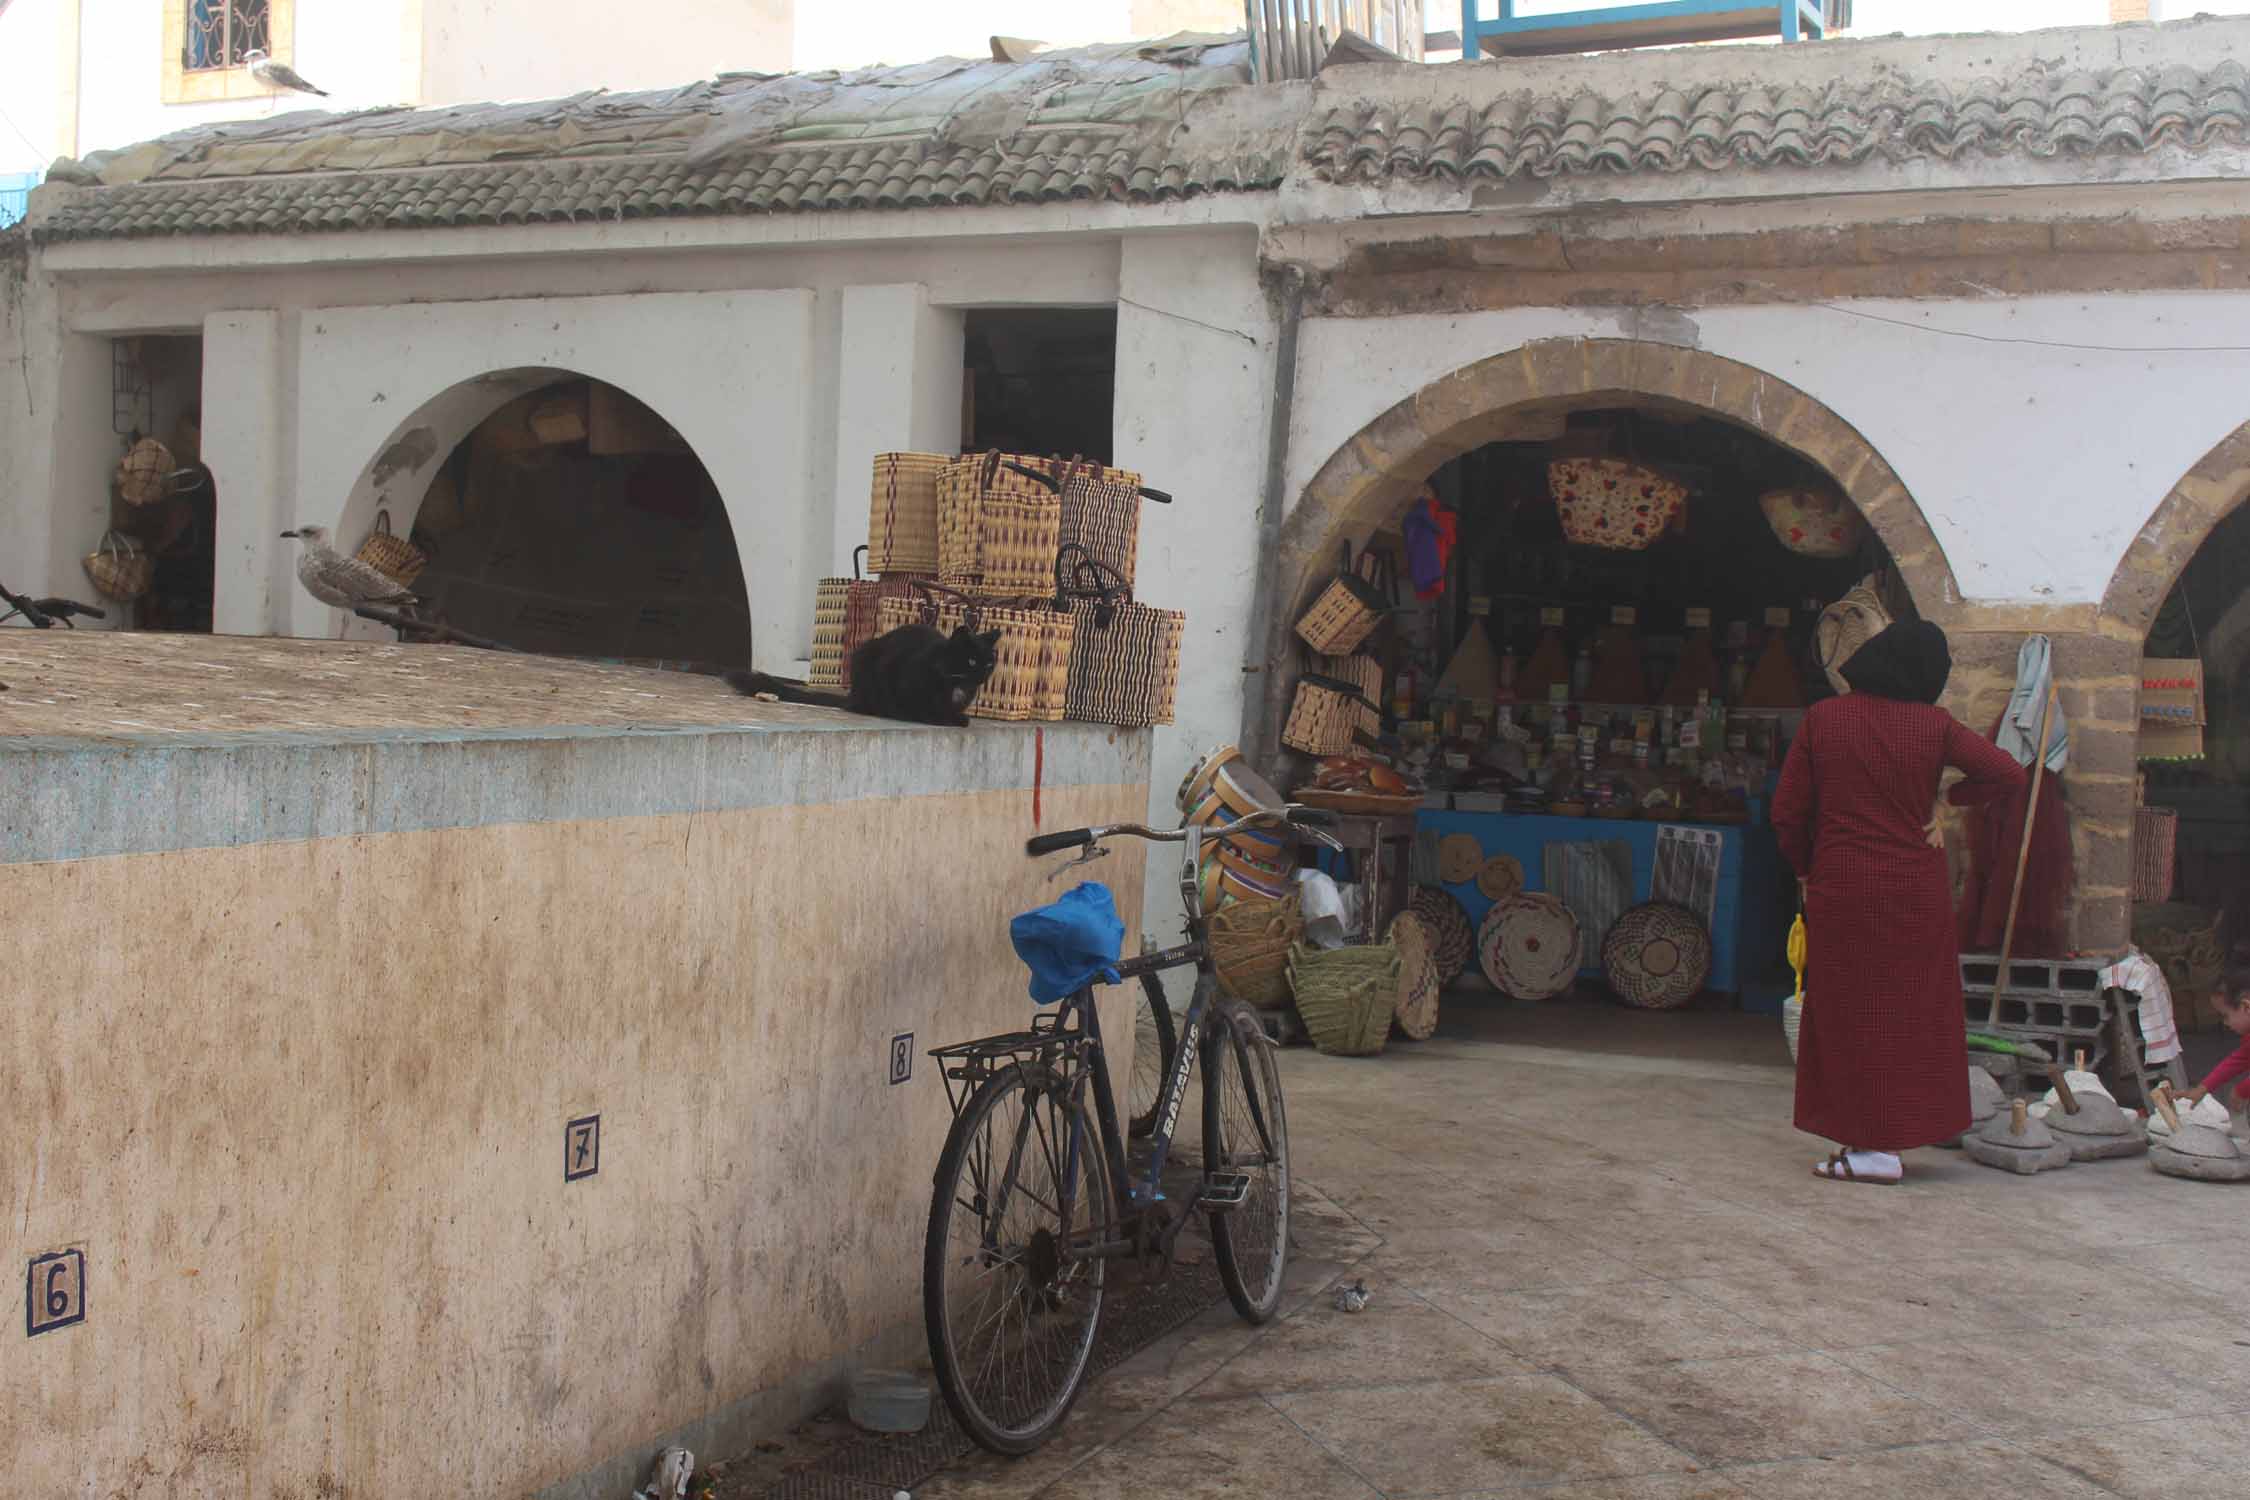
(561, 516)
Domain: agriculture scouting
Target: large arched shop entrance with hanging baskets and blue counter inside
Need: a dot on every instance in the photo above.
(1608, 719)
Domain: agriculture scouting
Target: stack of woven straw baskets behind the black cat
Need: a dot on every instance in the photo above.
(1038, 550)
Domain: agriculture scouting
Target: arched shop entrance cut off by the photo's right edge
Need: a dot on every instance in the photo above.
(2184, 593)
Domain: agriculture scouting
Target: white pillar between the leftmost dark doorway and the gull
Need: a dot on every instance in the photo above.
(242, 444)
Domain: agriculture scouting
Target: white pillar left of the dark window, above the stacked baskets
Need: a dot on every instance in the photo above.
(899, 390)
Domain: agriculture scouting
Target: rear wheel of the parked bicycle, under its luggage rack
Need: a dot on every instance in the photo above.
(1014, 1317)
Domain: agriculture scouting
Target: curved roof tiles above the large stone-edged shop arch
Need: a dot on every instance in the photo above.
(1844, 123)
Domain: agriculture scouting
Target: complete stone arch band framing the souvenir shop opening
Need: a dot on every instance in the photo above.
(1524, 390)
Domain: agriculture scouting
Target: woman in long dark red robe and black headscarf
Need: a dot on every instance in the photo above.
(1882, 1054)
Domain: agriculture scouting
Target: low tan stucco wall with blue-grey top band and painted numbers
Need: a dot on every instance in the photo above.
(298, 1067)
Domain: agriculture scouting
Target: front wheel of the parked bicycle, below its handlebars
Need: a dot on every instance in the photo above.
(1248, 1132)
